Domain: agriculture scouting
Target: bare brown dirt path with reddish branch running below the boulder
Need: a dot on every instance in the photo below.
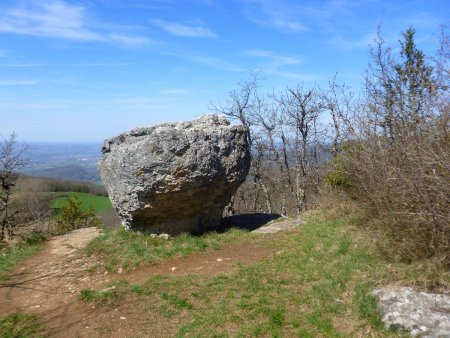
(48, 283)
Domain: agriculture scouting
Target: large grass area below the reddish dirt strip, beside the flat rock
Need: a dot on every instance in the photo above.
(303, 292)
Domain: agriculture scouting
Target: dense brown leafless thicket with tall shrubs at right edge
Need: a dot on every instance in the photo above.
(398, 161)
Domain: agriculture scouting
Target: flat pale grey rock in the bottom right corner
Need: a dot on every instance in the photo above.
(422, 314)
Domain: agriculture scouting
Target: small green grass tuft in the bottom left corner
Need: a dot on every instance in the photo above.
(20, 325)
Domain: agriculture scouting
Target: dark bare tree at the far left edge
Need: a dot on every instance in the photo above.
(11, 158)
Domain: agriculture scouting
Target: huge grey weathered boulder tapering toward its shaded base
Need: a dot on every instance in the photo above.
(175, 177)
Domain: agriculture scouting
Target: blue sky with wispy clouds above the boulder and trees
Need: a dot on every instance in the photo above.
(84, 70)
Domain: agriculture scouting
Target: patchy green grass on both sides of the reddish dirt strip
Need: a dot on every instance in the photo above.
(317, 285)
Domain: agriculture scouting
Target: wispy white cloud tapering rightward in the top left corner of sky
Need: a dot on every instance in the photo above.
(58, 19)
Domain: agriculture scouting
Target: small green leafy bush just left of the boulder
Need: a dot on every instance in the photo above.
(72, 216)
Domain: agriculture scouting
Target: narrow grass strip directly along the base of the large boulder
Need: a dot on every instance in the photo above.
(128, 249)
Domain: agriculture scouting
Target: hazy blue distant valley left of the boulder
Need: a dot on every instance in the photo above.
(64, 161)
